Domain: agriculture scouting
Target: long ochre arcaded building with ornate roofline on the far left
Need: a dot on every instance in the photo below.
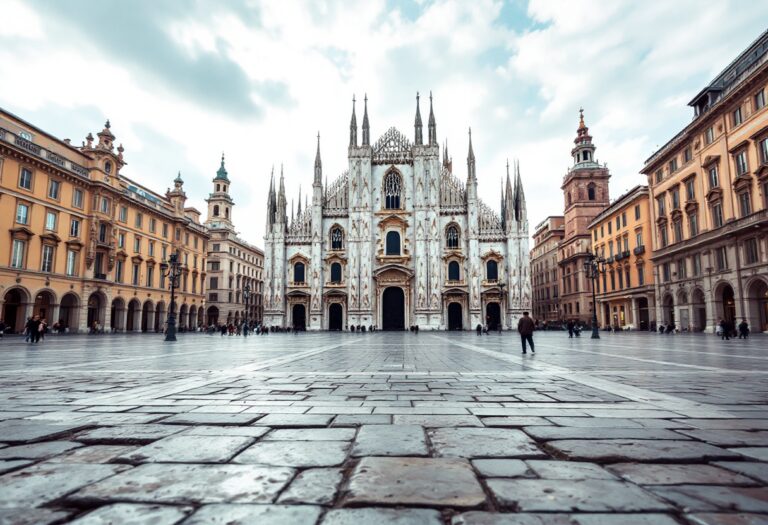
(84, 243)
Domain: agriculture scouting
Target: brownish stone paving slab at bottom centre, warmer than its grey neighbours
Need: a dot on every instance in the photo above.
(439, 482)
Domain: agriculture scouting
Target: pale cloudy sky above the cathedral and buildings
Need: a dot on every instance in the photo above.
(182, 82)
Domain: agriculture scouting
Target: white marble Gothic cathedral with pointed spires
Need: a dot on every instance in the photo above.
(397, 240)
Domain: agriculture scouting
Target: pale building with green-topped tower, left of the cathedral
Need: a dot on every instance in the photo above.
(235, 281)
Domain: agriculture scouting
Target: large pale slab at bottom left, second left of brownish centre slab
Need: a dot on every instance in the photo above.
(184, 484)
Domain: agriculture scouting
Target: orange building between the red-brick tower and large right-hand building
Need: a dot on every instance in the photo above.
(625, 292)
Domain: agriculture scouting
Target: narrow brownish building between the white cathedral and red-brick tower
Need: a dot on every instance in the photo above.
(545, 281)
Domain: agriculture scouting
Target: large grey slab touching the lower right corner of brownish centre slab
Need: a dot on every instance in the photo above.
(530, 495)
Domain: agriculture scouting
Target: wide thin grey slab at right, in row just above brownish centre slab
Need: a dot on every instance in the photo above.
(618, 450)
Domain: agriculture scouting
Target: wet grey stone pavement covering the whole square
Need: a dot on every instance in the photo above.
(434, 428)
